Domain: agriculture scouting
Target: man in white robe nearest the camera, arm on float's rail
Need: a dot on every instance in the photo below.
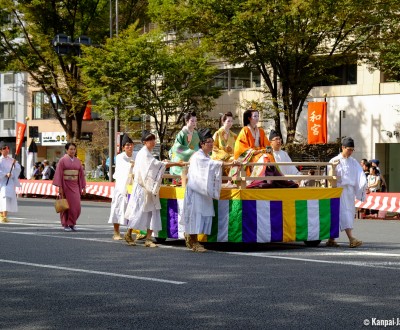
(204, 185)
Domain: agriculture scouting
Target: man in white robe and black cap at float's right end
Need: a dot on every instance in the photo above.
(351, 177)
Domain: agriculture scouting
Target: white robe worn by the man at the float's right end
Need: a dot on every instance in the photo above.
(351, 178)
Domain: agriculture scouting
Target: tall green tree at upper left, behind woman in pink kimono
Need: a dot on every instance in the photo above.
(27, 30)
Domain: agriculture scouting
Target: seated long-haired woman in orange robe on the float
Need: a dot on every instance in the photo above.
(250, 145)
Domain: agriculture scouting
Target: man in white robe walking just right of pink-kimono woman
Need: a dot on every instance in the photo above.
(123, 167)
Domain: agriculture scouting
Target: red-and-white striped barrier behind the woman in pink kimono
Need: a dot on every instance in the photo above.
(45, 187)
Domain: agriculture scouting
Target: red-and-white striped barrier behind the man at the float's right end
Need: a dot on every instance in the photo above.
(389, 202)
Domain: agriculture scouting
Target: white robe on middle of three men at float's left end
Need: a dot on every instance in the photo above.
(143, 210)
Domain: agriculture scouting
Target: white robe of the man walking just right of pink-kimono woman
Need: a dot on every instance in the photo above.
(123, 167)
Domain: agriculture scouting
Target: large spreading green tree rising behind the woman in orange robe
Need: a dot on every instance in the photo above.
(292, 43)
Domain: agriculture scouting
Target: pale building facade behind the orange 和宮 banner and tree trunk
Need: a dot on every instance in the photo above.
(364, 107)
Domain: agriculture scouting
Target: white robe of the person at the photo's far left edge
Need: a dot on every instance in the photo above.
(8, 197)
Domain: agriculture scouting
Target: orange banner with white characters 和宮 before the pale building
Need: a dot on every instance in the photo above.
(317, 127)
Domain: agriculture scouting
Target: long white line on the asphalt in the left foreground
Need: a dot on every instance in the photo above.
(153, 279)
